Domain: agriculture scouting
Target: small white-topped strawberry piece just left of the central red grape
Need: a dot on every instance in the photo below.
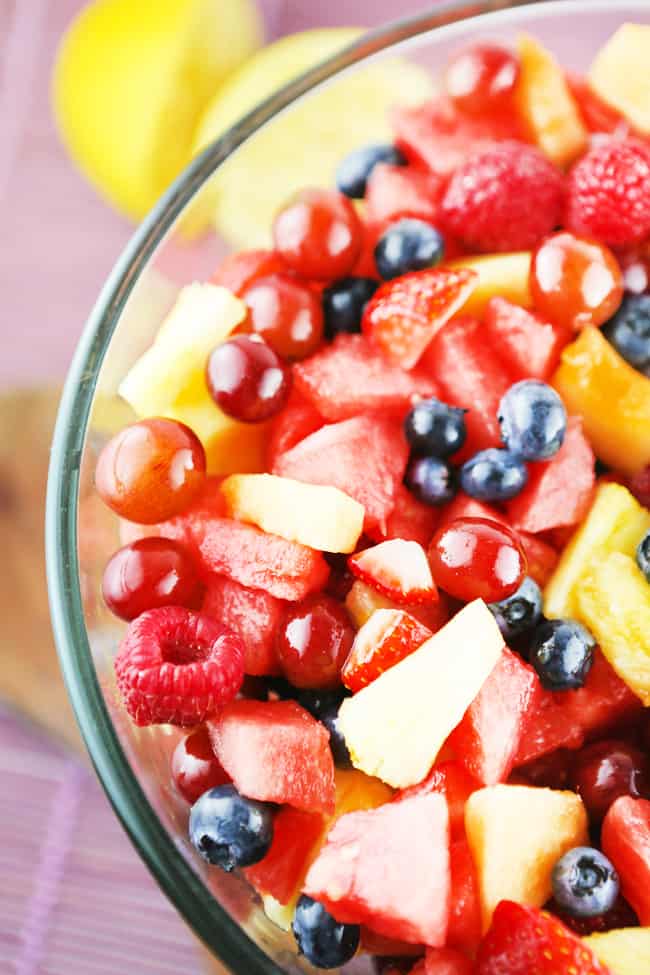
(397, 568)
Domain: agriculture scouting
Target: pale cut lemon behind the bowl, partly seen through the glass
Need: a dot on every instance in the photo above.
(303, 145)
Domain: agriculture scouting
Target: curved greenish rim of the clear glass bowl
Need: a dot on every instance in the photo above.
(181, 884)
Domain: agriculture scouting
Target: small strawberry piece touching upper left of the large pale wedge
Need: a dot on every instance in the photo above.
(385, 639)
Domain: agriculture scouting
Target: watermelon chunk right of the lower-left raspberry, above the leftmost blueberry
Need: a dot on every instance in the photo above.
(276, 752)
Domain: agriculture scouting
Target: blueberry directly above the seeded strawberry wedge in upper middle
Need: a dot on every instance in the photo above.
(408, 245)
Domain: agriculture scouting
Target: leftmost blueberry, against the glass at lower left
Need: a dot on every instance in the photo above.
(229, 830)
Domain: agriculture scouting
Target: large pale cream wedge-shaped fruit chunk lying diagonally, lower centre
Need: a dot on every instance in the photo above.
(395, 727)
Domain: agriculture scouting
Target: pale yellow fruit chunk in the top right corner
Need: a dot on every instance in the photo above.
(620, 74)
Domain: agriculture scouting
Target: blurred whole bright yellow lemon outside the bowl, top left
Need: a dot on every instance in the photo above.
(131, 80)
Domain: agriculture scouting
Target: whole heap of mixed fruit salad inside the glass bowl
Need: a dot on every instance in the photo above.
(387, 539)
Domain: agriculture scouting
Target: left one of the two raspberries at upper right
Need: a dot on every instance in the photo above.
(503, 198)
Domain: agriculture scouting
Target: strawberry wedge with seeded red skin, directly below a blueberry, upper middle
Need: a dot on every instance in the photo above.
(406, 313)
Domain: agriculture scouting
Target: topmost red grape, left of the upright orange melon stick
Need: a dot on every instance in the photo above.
(482, 78)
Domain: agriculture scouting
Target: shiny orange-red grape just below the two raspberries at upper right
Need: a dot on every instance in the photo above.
(575, 281)
